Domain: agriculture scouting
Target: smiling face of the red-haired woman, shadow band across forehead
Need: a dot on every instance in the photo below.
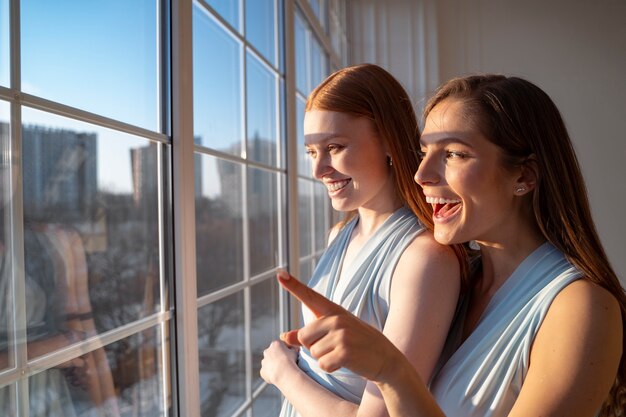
(350, 159)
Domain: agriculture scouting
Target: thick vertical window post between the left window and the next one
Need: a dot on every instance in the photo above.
(184, 214)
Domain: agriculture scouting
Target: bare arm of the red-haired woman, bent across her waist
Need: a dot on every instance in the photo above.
(424, 293)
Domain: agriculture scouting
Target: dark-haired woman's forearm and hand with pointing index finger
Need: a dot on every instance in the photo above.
(339, 339)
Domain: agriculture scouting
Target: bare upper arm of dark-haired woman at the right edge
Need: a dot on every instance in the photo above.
(575, 355)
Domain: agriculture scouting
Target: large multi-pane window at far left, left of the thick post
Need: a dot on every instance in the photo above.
(84, 265)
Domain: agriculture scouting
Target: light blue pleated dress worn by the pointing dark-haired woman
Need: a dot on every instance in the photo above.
(483, 376)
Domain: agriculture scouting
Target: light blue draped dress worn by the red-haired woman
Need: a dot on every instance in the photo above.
(363, 290)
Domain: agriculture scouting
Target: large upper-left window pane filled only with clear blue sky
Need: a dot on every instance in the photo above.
(98, 56)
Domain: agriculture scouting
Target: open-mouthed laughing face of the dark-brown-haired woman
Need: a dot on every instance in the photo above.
(473, 196)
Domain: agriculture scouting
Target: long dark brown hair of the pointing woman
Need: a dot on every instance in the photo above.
(522, 120)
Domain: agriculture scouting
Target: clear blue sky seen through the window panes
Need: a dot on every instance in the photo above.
(102, 57)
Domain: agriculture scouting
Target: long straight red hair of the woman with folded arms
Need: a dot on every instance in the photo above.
(369, 91)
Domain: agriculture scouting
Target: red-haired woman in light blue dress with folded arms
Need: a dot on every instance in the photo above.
(382, 263)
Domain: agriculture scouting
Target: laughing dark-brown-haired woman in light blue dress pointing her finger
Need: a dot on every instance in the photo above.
(541, 330)
